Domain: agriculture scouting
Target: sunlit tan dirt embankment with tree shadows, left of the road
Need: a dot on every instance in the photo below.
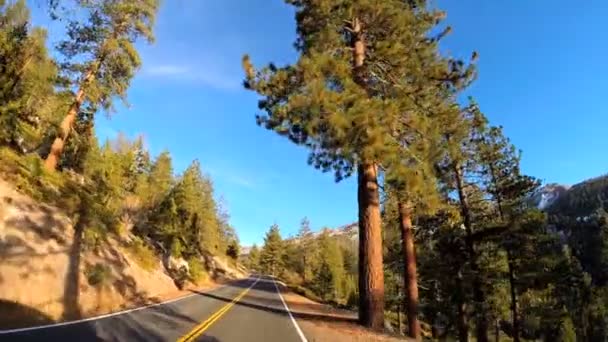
(47, 274)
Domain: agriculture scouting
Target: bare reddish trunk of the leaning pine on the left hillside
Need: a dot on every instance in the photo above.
(68, 121)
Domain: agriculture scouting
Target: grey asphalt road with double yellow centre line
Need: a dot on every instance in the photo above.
(246, 310)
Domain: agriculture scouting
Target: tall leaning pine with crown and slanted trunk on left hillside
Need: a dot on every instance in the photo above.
(100, 58)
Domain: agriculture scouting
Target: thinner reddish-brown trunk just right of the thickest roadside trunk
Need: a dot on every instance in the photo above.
(410, 278)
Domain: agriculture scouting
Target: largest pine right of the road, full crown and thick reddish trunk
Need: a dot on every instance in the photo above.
(334, 101)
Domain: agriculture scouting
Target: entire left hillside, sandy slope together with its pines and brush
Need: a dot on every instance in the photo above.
(90, 217)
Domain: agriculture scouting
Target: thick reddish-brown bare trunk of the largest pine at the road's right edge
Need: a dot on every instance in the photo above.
(371, 276)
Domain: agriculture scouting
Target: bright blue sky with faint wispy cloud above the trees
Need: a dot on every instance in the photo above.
(542, 75)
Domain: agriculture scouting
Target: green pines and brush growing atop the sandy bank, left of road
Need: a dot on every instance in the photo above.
(49, 148)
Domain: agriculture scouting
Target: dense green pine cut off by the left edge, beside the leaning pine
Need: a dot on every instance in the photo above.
(27, 77)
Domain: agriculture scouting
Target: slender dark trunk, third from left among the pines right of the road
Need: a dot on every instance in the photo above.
(481, 320)
